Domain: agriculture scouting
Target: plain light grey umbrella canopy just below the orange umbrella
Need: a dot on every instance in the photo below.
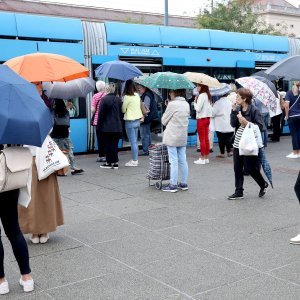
(68, 90)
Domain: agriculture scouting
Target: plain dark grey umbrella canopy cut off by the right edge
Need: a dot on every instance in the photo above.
(288, 68)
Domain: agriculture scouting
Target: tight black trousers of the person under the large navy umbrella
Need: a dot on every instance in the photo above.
(10, 222)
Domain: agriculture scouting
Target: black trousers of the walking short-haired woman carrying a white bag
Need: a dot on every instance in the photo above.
(250, 165)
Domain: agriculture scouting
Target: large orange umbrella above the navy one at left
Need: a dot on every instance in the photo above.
(37, 67)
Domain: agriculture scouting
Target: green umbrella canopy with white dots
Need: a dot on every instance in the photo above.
(168, 80)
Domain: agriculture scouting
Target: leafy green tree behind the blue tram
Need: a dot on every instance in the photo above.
(237, 16)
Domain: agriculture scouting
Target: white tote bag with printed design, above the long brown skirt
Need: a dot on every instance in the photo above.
(49, 159)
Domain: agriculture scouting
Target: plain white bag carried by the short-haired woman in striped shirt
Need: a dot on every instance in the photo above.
(248, 145)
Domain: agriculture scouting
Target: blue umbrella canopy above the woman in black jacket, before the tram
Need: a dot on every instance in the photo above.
(118, 69)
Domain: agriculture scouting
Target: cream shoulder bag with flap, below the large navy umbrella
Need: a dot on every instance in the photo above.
(15, 168)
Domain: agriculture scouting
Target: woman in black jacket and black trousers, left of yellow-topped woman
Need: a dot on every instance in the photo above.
(110, 124)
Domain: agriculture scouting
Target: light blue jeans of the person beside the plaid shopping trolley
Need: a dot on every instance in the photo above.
(178, 155)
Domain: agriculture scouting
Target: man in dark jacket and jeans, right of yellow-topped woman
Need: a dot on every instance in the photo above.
(145, 129)
